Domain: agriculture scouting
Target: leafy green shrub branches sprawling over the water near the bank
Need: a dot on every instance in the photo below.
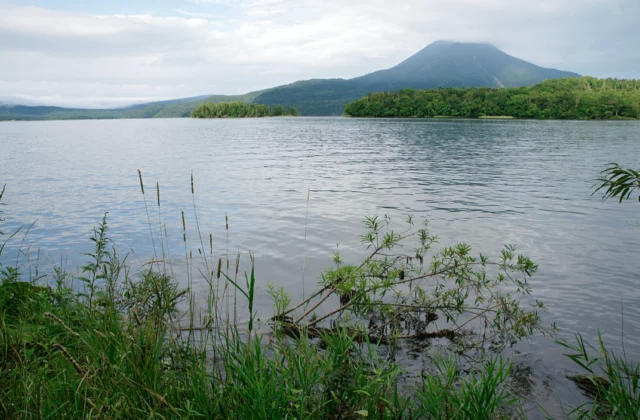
(393, 295)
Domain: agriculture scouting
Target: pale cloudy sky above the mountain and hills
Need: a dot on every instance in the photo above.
(99, 54)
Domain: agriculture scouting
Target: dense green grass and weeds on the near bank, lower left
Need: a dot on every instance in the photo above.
(125, 356)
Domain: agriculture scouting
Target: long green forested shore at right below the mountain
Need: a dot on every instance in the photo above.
(570, 98)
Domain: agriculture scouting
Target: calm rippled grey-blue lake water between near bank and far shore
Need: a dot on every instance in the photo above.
(487, 183)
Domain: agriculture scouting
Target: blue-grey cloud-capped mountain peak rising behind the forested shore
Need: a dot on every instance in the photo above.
(441, 64)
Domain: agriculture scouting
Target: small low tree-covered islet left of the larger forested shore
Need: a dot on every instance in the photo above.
(241, 110)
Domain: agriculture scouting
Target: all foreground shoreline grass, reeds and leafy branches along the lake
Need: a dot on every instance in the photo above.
(112, 344)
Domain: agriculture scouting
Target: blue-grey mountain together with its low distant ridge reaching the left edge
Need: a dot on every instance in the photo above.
(440, 64)
